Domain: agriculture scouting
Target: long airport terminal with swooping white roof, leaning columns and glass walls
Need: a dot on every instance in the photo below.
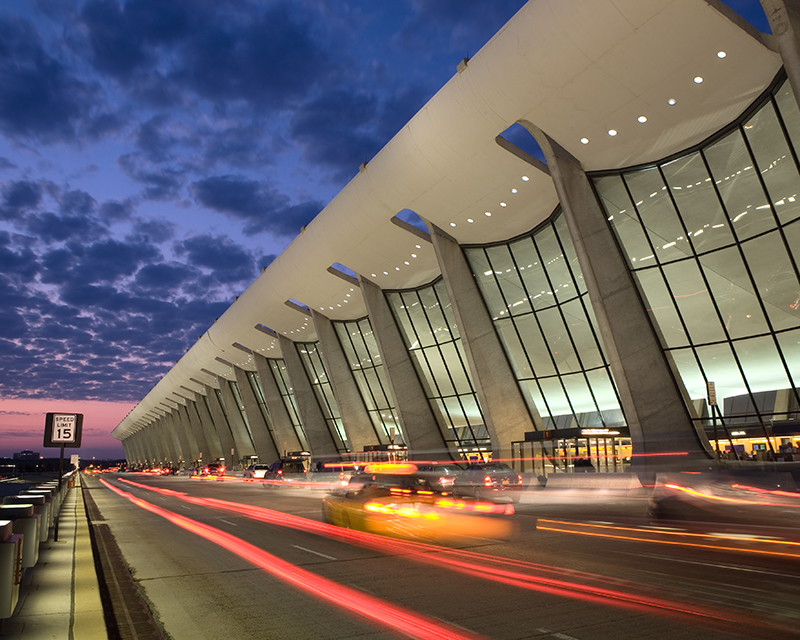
(634, 296)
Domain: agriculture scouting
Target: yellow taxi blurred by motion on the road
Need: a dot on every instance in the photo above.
(395, 500)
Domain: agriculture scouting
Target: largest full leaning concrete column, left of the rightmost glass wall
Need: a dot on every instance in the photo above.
(654, 408)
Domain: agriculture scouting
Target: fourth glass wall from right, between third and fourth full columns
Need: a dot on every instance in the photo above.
(361, 350)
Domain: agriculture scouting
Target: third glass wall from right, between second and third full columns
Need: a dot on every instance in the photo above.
(426, 319)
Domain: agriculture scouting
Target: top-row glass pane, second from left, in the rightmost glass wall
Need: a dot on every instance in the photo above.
(654, 204)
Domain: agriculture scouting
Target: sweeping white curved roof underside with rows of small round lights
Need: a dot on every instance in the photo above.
(574, 68)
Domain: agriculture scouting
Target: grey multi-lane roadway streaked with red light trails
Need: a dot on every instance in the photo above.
(217, 559)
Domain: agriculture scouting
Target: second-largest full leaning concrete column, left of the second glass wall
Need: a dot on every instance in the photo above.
(504, 409)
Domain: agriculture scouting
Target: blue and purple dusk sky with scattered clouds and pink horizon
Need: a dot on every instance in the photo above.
(156, 154)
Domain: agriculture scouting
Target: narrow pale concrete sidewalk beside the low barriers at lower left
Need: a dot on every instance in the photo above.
(59, 597)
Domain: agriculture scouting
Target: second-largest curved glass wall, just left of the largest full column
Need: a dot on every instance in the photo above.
(534, 290)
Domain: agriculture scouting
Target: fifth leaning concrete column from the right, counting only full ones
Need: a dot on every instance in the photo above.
(320, 440)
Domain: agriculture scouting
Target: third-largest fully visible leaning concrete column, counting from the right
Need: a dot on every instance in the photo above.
(421, 430)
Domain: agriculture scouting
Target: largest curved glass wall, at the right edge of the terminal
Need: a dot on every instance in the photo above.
(713, 240)
